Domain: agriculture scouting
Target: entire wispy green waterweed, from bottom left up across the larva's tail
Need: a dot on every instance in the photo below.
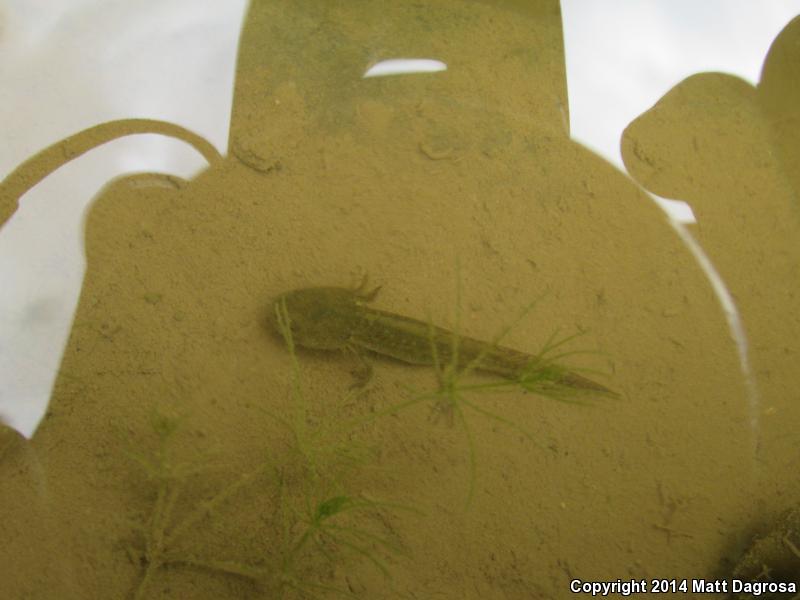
(318, 523)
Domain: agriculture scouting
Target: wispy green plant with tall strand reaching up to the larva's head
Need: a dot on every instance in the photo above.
(319, 520)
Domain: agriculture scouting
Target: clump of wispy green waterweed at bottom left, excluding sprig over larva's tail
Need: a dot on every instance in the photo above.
(318, 522)
